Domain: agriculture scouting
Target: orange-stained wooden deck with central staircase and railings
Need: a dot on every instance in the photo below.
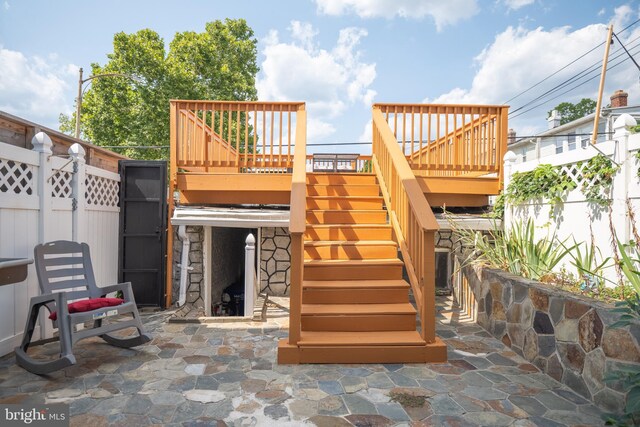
(346, 227)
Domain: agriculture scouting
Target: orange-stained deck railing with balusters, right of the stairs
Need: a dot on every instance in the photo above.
(449, 140)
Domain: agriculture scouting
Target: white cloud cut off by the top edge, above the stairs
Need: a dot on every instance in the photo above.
(443, 12)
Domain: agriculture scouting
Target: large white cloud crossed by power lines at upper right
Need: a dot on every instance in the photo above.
(519, 58)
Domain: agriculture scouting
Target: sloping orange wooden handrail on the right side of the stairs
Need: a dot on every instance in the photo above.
(411, 217)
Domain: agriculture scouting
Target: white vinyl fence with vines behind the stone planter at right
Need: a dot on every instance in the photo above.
(576, 218)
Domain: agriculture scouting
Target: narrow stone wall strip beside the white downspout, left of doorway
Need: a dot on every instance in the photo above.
(194, 306)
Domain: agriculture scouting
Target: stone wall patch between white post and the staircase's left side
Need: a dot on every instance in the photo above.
(275, 261)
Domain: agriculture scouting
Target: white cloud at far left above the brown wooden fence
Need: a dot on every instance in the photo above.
(33, 87)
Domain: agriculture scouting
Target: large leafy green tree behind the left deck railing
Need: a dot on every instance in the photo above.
(219, 63)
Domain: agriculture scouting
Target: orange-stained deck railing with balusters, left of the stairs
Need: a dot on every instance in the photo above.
(232, 136)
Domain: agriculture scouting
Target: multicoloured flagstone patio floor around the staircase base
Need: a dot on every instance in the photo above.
(226, 374)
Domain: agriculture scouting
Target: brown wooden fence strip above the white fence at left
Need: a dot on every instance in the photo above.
(19, 132)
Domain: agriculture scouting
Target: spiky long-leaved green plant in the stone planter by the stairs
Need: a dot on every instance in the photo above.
(516, 251)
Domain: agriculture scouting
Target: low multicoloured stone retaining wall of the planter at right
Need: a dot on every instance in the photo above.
(565, 335)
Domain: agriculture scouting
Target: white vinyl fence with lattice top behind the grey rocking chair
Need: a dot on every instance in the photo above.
(45, 198)
